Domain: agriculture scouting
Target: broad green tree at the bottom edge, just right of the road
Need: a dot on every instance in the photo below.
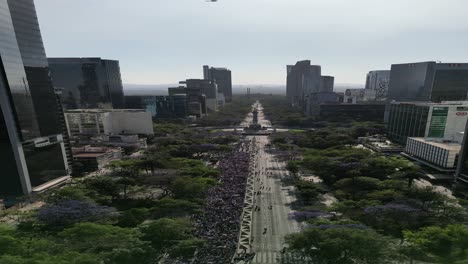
(341, 244)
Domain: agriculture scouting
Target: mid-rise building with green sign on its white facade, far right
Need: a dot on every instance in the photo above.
(438, 121)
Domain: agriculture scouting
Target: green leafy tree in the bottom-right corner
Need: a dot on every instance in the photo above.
(443, 245)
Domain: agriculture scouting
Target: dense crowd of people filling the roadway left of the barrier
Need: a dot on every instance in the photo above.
(219, 224)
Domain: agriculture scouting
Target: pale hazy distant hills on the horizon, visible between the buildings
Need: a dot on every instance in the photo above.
(161, 89)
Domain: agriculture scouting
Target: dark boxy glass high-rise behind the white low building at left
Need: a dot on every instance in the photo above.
(88, 83)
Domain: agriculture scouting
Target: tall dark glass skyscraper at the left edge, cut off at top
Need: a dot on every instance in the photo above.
(30, 123)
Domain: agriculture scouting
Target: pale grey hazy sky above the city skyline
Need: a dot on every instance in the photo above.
(164, 41)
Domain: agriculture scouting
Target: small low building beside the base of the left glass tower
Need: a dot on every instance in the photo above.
(95, 158)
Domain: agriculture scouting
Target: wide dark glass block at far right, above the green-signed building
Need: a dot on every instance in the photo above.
(428, 81)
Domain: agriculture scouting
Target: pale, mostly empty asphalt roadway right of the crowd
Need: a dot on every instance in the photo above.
(273, 202)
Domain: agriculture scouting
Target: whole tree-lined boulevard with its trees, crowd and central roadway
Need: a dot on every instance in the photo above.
(307, 194)
